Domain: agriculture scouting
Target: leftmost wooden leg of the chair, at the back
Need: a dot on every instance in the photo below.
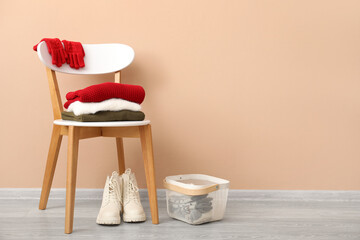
(53, 154)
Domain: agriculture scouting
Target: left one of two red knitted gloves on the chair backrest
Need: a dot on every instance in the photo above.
(55, 49)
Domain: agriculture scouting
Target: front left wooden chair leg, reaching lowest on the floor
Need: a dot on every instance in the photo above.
(73, 146)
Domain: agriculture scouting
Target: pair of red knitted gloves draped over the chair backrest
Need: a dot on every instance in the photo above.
(72, 52)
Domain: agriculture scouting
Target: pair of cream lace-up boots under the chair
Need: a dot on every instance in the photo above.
(121, 194)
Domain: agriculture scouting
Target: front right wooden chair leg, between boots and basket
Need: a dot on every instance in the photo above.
(148, 156)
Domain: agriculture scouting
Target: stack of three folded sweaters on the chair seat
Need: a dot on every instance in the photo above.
(105, 102)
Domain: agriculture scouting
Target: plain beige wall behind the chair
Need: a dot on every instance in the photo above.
(263, 93)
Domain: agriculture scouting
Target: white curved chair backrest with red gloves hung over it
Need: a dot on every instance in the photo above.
(99, 58)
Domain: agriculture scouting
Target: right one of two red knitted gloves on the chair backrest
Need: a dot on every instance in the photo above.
(75, 53)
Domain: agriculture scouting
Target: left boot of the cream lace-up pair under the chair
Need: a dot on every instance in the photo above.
(109, 213)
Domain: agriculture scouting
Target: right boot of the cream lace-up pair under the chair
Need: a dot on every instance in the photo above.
(133, 210)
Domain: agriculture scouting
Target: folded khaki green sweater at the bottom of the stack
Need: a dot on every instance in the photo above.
(105, 116)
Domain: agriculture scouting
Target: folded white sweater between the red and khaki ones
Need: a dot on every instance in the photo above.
(113, 104)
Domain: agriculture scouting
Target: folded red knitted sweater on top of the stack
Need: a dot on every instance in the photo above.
(103, 91)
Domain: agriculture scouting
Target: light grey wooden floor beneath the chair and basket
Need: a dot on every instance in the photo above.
(249, 215)
